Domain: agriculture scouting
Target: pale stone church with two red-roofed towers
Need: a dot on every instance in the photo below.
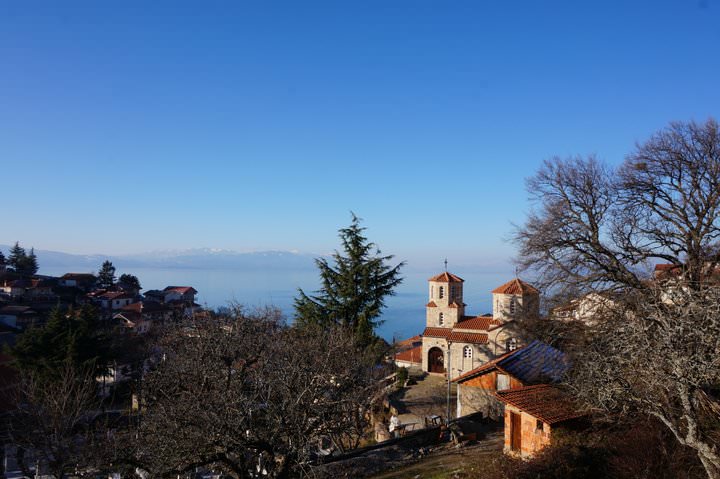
(453, 343)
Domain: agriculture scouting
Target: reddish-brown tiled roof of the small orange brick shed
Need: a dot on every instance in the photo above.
(542, 401)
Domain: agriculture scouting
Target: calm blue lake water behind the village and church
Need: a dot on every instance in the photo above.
(404, 315)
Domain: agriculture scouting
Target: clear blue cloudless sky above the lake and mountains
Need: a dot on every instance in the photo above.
(129, 126)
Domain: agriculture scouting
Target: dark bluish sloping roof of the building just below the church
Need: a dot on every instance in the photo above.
(532, 364)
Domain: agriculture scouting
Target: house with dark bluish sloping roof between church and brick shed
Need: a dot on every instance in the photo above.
(535, 363)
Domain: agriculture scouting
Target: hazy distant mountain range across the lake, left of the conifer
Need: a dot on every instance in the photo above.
(201, 258)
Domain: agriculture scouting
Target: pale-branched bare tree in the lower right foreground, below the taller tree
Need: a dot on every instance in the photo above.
(648, 355)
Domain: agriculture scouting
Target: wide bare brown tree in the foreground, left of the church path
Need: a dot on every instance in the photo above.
(247, 395)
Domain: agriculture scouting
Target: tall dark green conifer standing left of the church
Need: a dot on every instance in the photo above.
(353, 289)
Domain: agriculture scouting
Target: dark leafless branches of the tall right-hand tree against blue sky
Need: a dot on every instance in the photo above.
(597, 227)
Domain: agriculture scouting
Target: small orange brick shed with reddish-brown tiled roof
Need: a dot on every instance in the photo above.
(532, 413)
